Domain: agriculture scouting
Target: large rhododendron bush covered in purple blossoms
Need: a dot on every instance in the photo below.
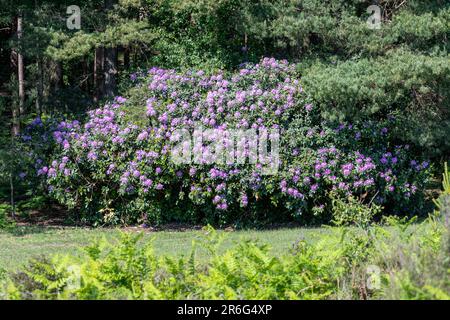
(117, 166)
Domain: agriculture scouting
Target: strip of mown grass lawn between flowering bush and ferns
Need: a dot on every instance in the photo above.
(23, 243)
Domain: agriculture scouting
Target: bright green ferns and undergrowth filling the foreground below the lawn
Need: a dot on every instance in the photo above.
(401, 262)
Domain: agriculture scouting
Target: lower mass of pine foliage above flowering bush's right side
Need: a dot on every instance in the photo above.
(413, 88)
